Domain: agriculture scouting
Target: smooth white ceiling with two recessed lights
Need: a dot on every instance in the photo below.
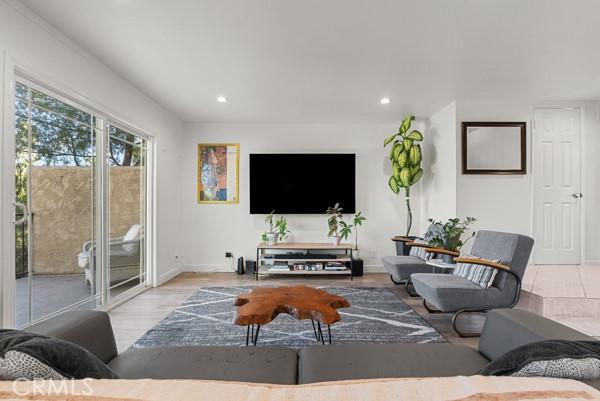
(311, 61)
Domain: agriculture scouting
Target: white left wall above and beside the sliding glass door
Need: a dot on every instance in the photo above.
(38, 48)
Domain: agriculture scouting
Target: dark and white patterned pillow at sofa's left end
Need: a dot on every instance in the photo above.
(31, 356)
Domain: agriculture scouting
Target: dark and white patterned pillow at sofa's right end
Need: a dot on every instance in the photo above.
(578, 360)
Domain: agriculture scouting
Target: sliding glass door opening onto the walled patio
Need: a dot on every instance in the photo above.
(63, 180)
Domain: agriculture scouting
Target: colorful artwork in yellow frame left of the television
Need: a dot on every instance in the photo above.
(218, 173)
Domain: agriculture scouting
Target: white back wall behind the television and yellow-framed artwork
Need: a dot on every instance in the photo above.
(210, 230)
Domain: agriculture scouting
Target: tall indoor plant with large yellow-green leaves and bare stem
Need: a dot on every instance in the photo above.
(406, 157)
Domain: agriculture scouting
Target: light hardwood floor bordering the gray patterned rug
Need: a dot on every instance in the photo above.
(133, 318)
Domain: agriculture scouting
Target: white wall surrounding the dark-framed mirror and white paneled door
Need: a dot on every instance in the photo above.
(503, 202)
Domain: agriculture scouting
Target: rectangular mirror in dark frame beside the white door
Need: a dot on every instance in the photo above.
(494, 147)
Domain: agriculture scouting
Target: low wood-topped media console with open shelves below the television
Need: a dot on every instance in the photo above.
(296, 258)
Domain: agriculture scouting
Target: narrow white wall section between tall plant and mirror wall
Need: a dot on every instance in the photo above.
(438, 190)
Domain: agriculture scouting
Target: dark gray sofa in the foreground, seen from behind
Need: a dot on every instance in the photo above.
(504, 330)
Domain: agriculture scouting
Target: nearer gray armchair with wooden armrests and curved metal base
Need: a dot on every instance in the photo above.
(450, 293)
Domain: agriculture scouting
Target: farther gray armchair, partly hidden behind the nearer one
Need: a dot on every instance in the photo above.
(401, 267)
